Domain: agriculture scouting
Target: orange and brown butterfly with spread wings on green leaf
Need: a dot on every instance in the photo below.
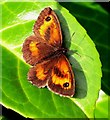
(44, 52)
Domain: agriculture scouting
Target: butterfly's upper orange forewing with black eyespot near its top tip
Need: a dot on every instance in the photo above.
(47, 26)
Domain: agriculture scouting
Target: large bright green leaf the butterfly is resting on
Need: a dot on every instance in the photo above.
(28, 100)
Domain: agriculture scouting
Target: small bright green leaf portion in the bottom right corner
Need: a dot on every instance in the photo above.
(101, 110)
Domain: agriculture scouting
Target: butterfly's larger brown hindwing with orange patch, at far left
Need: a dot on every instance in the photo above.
(35, 50)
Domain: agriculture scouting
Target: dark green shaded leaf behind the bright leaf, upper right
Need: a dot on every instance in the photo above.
(96, 22)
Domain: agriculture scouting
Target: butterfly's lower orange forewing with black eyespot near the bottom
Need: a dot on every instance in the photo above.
(62, 78)
